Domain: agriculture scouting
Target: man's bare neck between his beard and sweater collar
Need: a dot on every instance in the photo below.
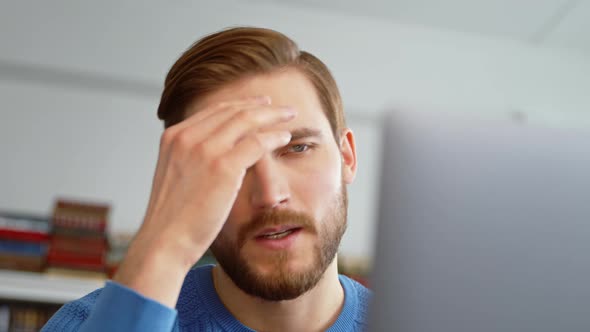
(315, 310)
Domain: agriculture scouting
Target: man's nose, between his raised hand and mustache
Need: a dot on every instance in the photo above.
(268, 185)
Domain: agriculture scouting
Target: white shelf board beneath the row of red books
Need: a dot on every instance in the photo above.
(37, 287)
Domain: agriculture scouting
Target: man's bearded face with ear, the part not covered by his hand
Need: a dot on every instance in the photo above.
(290, 213)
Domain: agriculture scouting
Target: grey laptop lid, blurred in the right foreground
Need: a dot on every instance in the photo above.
(484, 226)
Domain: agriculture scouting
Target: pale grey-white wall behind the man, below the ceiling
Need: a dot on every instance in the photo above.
(101, 142)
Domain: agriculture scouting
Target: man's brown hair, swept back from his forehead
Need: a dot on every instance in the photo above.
(229, 55)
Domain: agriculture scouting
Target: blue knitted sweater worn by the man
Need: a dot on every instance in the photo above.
(118, 308)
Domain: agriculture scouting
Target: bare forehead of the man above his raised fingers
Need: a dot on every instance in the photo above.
(287, 87)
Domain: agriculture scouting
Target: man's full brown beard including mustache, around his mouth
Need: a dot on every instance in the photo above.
(282, 283)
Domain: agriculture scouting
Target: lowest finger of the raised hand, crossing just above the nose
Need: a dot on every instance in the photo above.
(250, 149)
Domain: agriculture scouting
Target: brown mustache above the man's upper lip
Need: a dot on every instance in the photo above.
(273, 218)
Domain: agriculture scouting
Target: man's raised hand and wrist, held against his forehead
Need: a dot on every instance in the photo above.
(201, 166)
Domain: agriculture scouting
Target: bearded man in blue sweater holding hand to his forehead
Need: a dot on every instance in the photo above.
(253, 164)
